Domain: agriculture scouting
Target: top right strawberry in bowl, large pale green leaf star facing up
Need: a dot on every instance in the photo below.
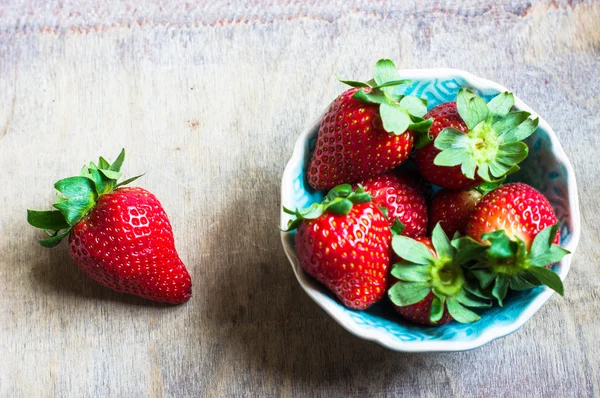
(473, 141)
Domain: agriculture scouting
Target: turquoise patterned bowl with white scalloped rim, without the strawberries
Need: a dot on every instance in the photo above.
(547, 169)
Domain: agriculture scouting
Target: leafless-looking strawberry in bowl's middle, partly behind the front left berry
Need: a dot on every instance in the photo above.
(399, 196)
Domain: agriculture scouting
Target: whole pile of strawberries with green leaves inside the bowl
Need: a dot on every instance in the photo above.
(417, 209)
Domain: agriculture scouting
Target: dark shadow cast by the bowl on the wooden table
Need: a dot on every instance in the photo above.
(268, 319)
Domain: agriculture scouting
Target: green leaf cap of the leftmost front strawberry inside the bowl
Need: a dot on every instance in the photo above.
(339, 200)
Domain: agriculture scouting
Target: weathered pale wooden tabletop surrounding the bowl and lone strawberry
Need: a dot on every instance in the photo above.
(208, 98)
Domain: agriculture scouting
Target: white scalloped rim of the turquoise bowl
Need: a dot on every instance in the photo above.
(381, 336)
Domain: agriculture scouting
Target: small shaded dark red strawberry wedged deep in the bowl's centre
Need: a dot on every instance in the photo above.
(452, 209)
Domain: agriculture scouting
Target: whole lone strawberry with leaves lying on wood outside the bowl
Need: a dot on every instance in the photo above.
(119, 236)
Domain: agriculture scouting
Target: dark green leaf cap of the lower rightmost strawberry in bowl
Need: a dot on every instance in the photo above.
(506, 263)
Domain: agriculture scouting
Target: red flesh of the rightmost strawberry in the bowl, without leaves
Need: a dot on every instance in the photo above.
(517, 208)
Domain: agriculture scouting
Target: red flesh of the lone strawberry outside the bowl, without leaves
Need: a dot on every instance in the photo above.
(126, 243)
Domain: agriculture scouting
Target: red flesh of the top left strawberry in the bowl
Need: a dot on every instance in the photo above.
(353, 145)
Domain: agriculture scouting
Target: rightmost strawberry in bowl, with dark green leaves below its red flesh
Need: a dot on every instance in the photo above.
(516, 227)
